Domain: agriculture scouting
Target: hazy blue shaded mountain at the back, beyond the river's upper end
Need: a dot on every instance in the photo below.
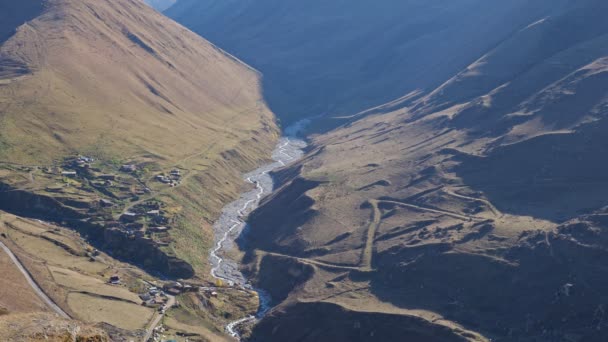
(341, 57)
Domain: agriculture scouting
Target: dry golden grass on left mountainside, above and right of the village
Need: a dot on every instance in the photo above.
(118, 81)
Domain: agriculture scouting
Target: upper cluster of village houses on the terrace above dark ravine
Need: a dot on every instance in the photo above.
(121, 198)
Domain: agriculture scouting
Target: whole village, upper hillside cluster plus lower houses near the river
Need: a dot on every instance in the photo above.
(126, 202)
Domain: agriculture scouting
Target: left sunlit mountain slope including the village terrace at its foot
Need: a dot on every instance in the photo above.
(120, 83)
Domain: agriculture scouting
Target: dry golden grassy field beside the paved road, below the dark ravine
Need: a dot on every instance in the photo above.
(74, 282)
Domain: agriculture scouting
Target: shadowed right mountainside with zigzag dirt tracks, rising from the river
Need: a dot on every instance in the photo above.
(475, 209)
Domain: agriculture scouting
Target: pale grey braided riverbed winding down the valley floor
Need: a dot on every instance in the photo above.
(232, 221)
